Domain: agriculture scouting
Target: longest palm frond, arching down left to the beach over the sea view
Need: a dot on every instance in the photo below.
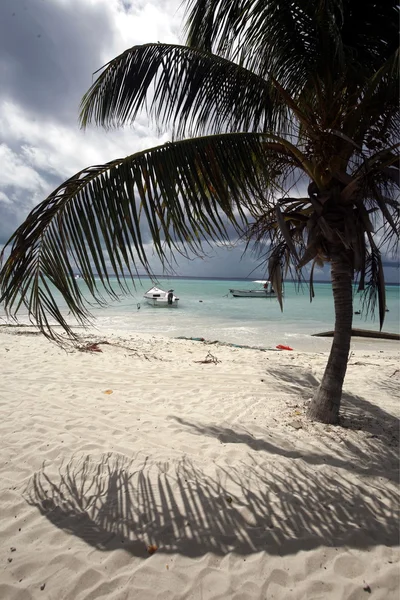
(181, 194)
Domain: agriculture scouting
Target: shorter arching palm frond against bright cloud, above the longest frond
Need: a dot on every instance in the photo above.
(188, 89)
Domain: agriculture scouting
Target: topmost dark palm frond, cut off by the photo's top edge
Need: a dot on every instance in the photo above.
(244, 28)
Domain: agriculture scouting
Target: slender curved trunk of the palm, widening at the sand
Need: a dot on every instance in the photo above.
(326, 402)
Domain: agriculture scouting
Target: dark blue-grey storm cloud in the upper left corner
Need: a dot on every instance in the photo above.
(48, 52)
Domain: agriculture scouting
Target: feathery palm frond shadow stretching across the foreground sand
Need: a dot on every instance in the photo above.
(114, 502)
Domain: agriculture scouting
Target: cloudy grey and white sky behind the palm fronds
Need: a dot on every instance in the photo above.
(49, 50)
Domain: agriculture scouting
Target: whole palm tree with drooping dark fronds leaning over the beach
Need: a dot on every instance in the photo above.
(279, 94)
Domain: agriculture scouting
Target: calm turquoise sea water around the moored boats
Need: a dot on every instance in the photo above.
(207, 310)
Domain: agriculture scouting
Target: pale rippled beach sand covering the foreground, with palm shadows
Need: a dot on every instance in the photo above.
(169, 469)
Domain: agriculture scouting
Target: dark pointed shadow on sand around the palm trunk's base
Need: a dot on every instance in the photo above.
(372, 452)
